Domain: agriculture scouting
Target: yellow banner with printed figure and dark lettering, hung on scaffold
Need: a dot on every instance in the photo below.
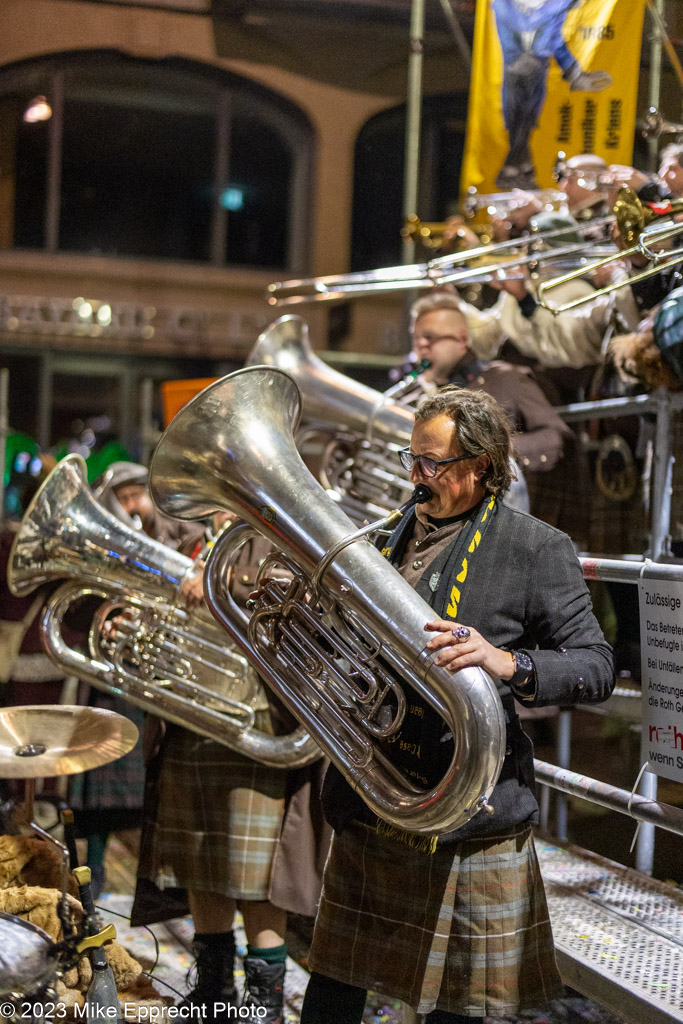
(550, 76)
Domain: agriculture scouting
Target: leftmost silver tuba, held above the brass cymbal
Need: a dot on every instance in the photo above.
(165, 660)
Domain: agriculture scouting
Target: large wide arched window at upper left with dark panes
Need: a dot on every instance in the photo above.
(160, 159)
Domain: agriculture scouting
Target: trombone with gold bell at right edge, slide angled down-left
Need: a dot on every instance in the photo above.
(634, 221)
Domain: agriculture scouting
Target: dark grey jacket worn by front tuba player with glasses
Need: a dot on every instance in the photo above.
(525, 591)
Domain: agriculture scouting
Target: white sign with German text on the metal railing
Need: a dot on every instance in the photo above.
(662, 658)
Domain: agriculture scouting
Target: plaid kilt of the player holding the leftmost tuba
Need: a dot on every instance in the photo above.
(218, 822)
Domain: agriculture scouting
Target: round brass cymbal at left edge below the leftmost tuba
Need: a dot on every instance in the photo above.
(42, 741)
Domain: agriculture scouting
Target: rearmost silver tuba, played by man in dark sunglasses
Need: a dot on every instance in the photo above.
(358, 425)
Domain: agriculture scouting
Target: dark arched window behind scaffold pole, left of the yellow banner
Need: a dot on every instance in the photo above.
(378, 177)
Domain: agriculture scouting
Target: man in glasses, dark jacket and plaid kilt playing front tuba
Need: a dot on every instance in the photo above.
(469, 935)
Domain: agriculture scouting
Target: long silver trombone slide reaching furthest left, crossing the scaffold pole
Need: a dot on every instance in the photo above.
(484, 264)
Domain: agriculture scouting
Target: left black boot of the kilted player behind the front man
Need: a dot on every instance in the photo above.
(215, 980)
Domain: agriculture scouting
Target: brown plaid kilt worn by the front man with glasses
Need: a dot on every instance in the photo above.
(465, 929)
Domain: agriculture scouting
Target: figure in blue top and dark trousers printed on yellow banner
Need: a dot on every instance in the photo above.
(531, 33)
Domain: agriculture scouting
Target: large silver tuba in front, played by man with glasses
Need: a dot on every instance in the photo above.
(343, 636)
